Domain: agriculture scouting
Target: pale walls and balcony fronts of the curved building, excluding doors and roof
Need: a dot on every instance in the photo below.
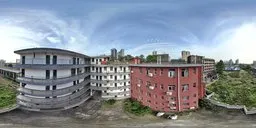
(28, 99)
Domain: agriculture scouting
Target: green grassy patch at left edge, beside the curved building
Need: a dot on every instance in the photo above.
(7, 93)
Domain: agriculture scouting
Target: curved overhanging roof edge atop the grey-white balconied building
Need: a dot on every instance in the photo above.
(49, 50)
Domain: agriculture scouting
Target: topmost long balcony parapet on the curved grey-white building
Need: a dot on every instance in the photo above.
(51, 66)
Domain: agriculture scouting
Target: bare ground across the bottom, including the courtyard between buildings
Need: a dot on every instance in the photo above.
(115, 117)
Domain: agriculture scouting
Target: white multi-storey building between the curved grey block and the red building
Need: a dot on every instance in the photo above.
(111, 80)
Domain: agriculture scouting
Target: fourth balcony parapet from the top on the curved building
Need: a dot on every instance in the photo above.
(53, 101)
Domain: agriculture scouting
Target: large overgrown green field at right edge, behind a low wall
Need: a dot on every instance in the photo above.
(236, 88)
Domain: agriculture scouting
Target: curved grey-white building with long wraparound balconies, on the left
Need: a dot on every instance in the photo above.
(52, 79)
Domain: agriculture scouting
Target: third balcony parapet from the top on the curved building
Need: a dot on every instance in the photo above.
(57, 92)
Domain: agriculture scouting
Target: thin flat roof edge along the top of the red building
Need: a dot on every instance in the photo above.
(166, 65)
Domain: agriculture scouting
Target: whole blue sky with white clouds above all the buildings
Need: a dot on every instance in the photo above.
(213, 28)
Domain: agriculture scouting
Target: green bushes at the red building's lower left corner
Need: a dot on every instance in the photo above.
(136, 108)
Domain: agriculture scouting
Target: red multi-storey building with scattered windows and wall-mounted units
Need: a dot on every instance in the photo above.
(169, 88)
